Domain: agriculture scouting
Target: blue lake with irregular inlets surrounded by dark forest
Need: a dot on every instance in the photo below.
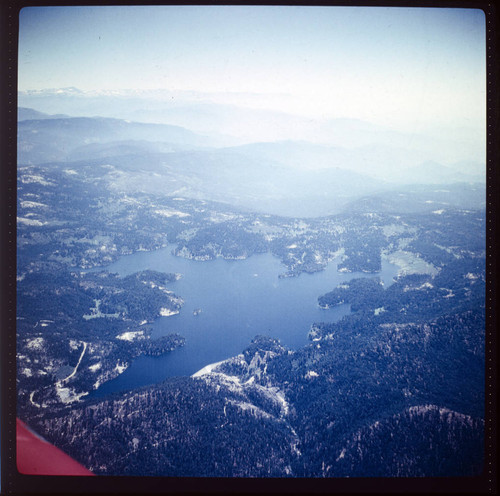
(239, 299)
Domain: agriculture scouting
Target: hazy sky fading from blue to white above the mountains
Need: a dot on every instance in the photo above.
(386, 65)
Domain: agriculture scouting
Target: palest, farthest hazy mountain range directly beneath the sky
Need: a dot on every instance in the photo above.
(236, 119)
